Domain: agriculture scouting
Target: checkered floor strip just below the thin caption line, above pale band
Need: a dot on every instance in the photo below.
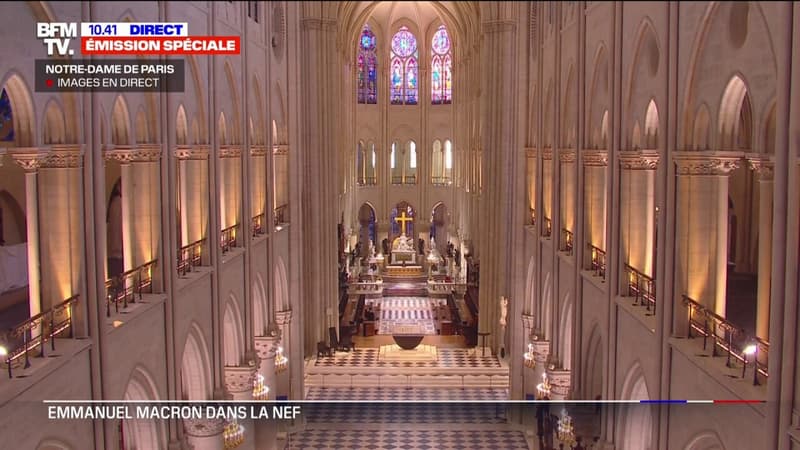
(406, 413)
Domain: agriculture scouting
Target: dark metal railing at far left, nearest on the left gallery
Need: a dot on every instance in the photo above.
(36, 331)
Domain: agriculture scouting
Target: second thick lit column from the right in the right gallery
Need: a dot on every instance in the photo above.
(637, 209)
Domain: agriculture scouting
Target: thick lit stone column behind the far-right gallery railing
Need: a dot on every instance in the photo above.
(702, 225)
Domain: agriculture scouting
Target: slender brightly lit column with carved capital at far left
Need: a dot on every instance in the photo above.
(30, 160)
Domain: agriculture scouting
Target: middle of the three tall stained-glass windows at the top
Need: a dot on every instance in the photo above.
(403, 70)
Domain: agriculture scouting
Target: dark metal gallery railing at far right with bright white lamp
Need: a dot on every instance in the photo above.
(728, 340)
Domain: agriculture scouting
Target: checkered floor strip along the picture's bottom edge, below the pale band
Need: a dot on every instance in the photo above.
(407, 439)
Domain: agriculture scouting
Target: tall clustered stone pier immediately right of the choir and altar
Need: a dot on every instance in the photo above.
(498, 175)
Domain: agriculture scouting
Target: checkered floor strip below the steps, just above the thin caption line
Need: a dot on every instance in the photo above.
(402, 394)
